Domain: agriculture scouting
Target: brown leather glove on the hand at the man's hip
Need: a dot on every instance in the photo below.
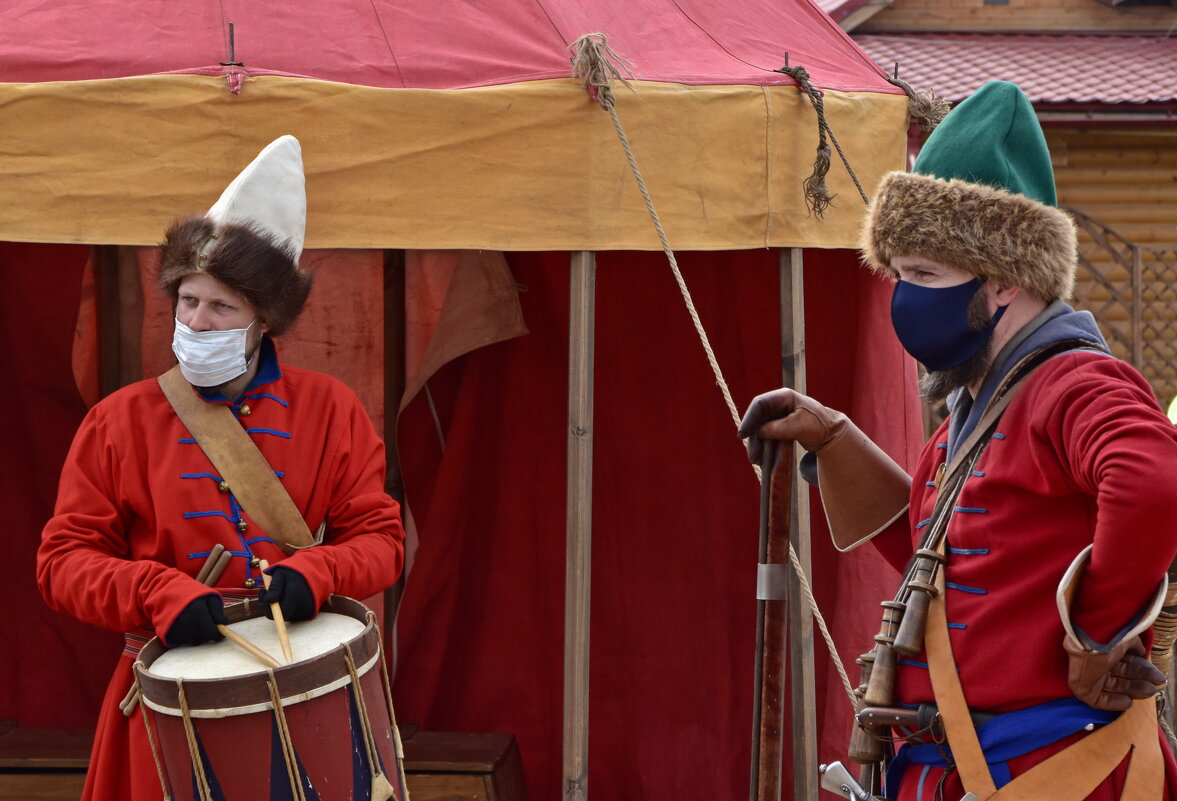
(1114, 679)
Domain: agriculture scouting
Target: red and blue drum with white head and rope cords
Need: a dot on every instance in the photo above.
(225, 726)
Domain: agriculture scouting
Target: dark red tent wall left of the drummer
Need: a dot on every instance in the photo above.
(44, 682)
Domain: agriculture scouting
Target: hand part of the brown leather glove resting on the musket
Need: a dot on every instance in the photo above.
(784, 415)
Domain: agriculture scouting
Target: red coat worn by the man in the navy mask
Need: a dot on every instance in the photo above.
(1082, 456)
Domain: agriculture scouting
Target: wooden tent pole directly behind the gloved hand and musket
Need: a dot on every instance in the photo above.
(801, 619)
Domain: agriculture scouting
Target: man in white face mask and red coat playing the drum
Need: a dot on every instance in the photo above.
(142, 509)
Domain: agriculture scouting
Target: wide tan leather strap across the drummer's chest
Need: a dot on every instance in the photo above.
(240, 463)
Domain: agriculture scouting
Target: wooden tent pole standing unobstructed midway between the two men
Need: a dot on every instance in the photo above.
(578, 532)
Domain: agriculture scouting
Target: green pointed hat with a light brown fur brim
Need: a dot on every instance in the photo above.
(981, 198)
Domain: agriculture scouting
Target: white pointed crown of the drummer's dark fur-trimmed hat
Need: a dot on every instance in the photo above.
(271, 195)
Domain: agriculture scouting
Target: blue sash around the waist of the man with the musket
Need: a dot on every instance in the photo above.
(1005, 738)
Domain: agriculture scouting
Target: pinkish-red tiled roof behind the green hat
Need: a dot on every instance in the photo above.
(1073, 69)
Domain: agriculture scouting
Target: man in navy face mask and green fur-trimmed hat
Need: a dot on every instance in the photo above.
(1041, 513)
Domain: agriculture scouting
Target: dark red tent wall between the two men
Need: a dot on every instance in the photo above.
(675, 519)
